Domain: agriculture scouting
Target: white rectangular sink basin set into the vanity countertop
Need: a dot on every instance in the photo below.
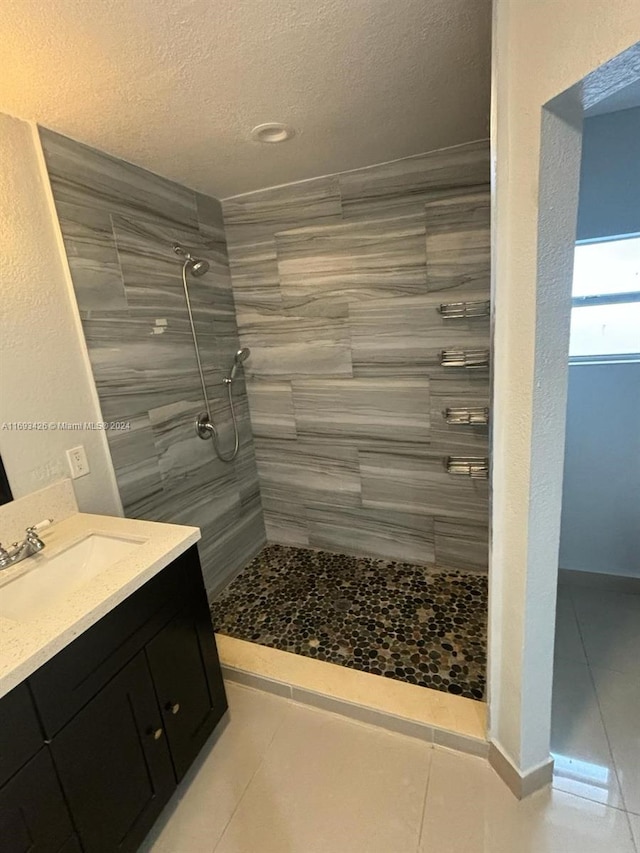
(53, 578)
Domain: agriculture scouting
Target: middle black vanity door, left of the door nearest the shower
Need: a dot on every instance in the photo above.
(114, 763)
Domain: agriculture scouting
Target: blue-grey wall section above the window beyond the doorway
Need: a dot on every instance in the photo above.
(610, 176)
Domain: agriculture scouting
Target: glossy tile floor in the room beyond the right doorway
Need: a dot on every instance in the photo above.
(596, 710)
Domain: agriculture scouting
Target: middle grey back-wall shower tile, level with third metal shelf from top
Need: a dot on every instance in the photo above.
(360, 409)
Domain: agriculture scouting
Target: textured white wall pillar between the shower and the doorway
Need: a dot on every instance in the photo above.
(540, 50)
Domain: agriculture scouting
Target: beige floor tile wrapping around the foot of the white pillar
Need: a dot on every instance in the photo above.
(469, 810)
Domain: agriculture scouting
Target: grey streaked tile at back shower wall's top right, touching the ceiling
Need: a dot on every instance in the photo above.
(405, 185)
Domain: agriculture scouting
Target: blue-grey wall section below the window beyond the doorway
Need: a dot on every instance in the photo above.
(601, 490)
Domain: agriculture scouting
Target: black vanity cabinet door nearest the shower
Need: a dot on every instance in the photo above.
(183, 659)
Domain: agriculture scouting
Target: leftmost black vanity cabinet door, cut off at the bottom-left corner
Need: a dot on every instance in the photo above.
(33, 814)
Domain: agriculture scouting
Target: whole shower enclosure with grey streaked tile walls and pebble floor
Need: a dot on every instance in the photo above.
(364, 299)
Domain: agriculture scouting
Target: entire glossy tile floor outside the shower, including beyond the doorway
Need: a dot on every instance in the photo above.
(280, 777)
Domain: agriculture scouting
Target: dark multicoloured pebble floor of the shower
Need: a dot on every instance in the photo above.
(421, 624)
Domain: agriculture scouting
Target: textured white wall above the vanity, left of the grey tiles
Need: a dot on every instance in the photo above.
(44, 369)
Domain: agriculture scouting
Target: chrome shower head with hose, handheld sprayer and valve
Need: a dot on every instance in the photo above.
(204, 425)
